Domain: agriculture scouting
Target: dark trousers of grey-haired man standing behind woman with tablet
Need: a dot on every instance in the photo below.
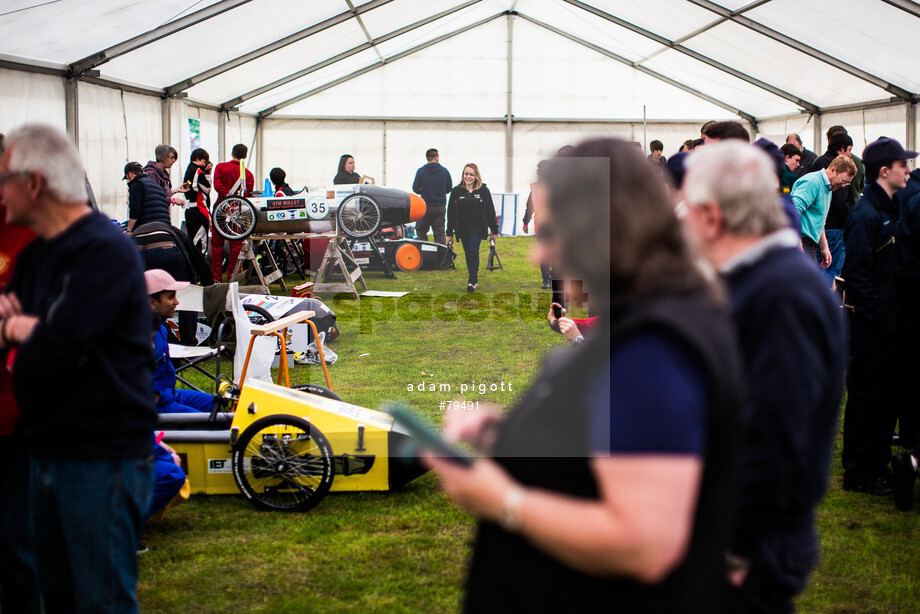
(779, 569)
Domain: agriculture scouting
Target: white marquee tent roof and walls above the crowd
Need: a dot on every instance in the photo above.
(503, 83)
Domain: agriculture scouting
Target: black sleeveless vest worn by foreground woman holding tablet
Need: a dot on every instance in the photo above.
(544, 443)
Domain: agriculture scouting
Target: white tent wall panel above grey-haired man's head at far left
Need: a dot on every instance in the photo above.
(30, 97)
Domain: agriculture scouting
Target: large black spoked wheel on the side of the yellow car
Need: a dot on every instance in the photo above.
(283, 463)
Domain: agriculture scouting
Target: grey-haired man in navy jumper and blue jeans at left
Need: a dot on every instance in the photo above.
(76, 315)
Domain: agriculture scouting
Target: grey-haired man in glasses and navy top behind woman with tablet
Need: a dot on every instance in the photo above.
(791, 336)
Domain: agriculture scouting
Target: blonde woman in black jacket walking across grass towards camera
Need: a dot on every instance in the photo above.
(470, 215)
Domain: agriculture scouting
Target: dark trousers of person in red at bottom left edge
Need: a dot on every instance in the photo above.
(18, 574)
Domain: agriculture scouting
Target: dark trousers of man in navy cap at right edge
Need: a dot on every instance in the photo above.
(872, 402)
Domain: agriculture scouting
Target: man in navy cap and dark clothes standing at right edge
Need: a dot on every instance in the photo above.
(872, 305)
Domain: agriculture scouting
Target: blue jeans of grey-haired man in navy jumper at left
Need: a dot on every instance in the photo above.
(88, 517)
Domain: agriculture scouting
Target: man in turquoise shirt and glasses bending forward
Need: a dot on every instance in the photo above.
(811, 196)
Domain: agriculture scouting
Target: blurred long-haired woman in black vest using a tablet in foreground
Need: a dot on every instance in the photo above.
(608, 485)
